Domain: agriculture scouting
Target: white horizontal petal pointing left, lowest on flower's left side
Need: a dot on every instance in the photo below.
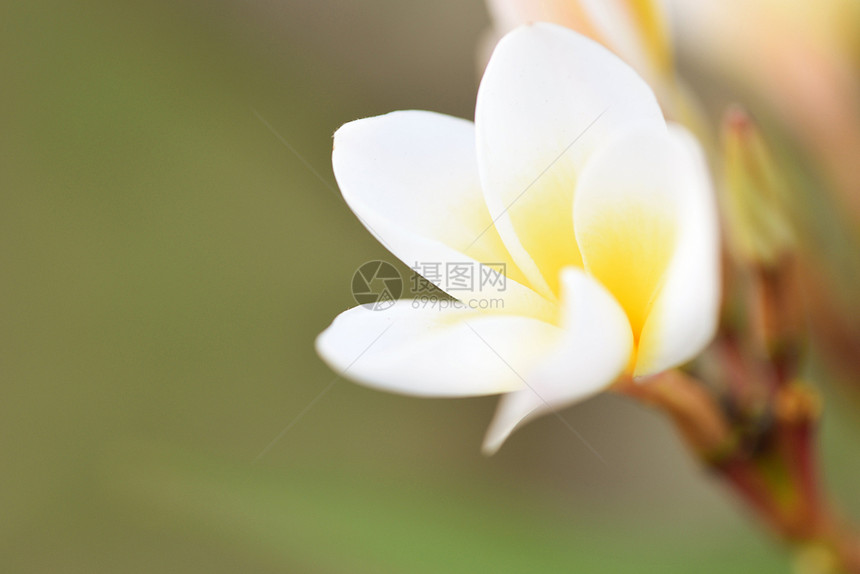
(426, 351)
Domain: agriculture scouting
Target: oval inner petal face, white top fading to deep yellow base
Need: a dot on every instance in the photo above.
(626, 218)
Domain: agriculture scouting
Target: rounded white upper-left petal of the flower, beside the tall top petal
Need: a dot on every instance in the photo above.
(411, 178)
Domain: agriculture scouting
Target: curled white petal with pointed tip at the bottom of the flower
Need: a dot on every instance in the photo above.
(594, 350)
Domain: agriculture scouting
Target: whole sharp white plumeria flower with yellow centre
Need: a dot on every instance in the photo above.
(602, 213)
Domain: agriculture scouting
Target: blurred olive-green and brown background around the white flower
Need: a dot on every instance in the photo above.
(168, 256)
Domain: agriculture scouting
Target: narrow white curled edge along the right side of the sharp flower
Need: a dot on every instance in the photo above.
(684, 317)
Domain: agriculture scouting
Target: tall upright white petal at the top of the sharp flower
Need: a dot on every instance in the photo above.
(549, 98)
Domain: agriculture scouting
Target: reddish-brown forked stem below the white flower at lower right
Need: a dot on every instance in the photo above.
(775, 475)
